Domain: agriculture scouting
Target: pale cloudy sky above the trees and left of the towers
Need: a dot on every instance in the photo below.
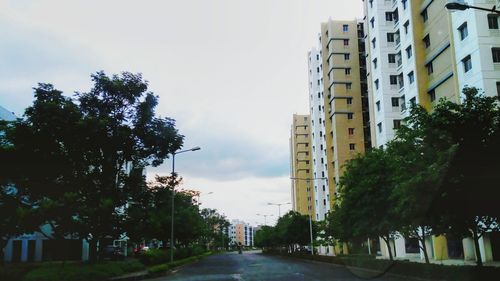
(230, 72)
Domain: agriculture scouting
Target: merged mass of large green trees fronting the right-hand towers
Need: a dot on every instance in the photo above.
(438, 176)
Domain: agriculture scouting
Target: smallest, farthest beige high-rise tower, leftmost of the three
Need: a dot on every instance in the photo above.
(300, 165)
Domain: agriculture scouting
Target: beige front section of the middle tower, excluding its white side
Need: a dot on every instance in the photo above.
(345, 96)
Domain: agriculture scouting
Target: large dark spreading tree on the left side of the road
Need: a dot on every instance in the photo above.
(77, 154)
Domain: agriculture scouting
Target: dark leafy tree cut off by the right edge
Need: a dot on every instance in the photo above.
(466, 196)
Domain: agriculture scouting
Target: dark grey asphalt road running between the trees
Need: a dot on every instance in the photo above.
(255, 266)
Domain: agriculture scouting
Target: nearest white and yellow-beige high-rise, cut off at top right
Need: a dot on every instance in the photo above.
(417, 53)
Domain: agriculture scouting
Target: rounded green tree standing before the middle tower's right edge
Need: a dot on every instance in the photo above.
(364, 208)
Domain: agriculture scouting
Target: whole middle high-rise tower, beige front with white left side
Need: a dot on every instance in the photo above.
(338, 106)
